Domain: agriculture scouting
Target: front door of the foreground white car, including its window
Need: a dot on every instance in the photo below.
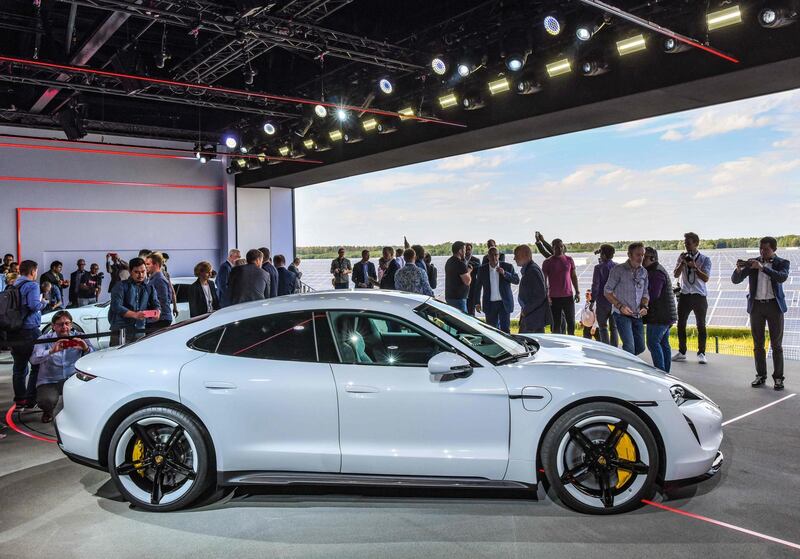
(395, 418)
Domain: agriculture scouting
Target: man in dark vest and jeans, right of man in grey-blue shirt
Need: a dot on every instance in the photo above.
(662, 312)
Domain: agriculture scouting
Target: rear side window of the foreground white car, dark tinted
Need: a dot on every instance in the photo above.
(284, 337)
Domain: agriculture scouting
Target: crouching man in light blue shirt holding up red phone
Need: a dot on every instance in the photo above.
(56, 361)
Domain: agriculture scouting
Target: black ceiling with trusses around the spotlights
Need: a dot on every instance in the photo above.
(337, 50)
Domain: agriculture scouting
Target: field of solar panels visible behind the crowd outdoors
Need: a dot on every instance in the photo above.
(726, 301)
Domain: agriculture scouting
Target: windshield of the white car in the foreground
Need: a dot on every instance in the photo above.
(493, 344)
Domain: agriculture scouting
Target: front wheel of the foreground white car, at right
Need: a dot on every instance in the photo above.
(581, 455)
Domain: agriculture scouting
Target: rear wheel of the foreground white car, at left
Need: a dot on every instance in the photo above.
(177, 456)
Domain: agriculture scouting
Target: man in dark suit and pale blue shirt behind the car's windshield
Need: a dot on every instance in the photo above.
(495, 279)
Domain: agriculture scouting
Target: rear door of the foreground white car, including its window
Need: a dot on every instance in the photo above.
(268, 402)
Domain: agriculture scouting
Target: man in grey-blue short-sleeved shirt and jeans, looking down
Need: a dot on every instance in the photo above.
(627, 290)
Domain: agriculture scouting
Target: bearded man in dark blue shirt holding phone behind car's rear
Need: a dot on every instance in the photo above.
(129, 301)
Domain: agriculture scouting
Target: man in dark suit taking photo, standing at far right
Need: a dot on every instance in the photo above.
(766, 304)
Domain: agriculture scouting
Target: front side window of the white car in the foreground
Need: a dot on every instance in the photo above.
(376, 339)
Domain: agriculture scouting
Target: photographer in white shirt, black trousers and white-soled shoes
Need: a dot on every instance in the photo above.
(693, 269)
